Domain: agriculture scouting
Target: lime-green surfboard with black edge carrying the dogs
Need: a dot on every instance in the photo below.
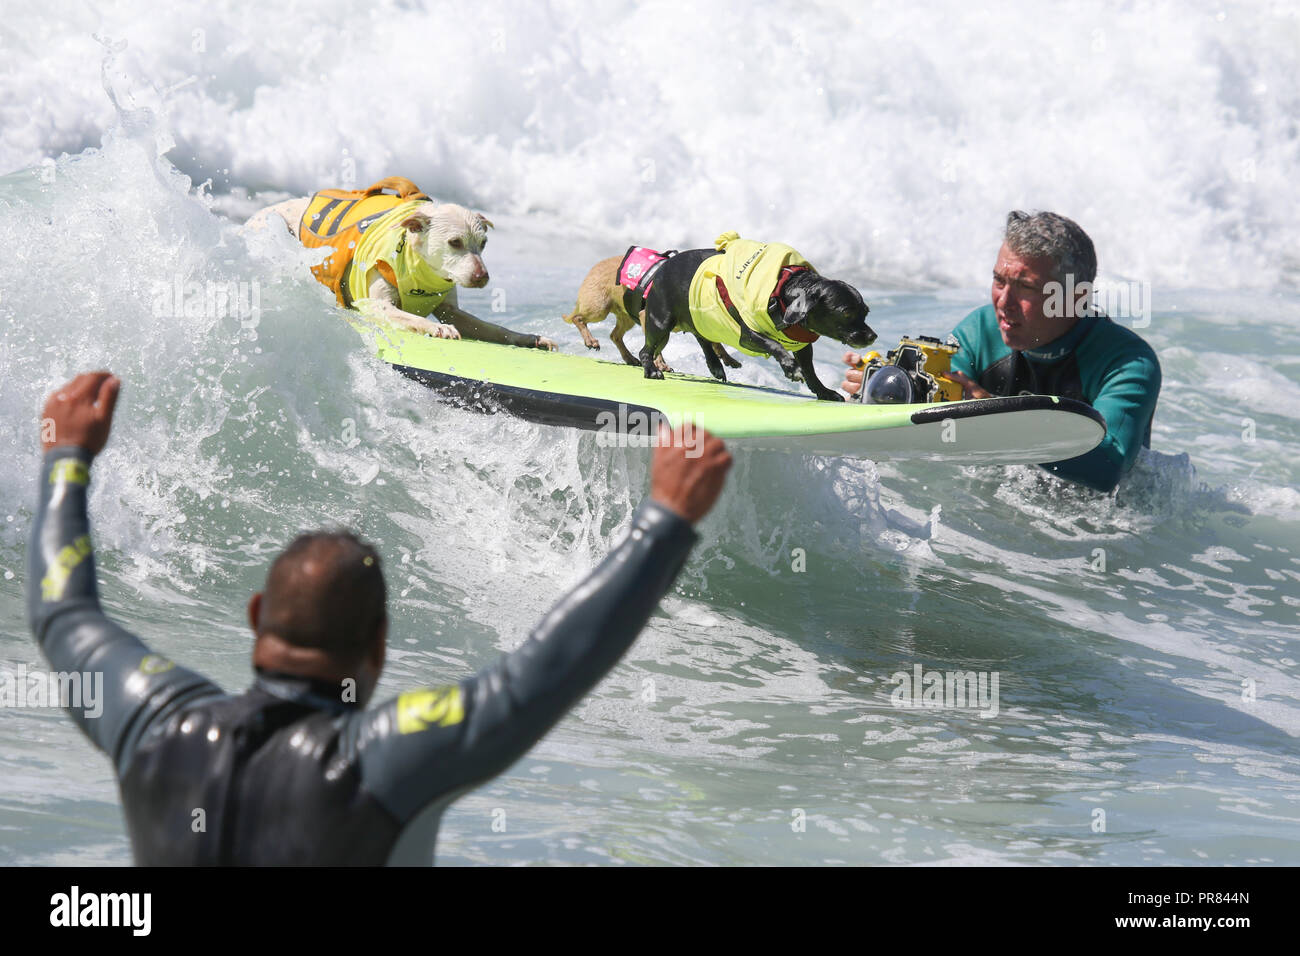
(623, 406)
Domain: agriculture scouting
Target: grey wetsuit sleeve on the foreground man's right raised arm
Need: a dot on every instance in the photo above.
(431, 745)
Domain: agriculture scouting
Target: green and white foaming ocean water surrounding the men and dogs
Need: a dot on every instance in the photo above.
(1146, 644)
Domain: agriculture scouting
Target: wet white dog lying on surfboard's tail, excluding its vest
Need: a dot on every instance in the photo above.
(447, 240)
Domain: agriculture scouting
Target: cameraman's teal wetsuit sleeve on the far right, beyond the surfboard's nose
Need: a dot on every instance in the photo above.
(1126, 401)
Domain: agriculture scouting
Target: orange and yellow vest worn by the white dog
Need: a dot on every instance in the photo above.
(365, 230)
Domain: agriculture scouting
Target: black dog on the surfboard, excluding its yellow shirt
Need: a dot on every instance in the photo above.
(808, 302)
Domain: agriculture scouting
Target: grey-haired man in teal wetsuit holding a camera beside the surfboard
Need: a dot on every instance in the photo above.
(1034, 340)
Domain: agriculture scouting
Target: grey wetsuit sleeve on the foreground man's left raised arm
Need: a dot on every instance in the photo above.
(122, 686)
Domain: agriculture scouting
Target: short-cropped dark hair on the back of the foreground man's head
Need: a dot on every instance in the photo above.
(326, 591)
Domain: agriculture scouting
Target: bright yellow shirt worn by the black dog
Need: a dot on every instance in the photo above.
(749, 271)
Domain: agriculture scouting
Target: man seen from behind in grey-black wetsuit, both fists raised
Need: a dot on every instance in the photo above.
(297, 771)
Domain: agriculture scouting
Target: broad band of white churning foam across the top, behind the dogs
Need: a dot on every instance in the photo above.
(886, 141)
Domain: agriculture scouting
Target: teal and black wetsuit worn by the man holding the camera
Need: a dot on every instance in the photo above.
(1098, 362)
